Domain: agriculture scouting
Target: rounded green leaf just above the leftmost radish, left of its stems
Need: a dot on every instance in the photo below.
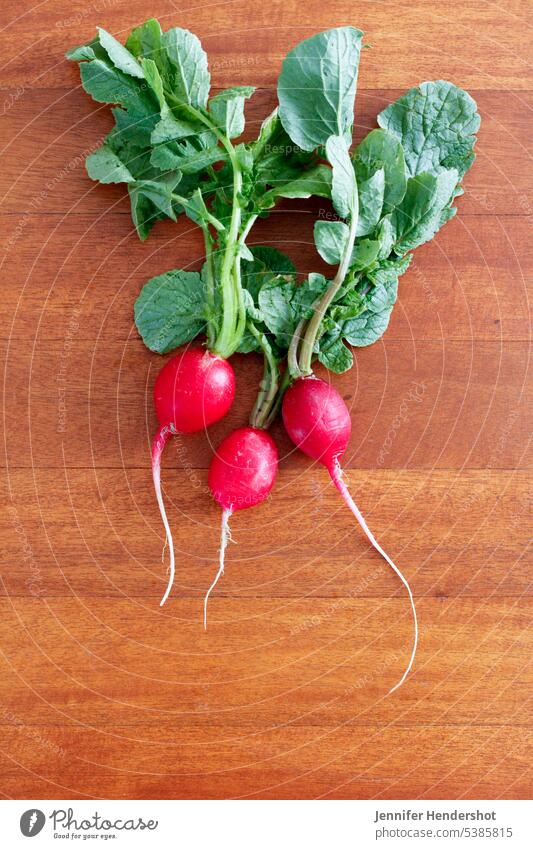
(170, 310)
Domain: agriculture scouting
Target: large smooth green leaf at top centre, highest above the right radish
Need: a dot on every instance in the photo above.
(316, 87)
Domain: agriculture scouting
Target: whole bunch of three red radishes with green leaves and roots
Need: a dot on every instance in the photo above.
(173, 146)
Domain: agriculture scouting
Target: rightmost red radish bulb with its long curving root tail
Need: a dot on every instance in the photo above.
(318, 421)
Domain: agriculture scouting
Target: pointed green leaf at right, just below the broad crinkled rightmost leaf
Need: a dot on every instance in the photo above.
(421, 212)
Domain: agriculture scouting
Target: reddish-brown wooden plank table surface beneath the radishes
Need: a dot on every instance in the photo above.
(105, 694)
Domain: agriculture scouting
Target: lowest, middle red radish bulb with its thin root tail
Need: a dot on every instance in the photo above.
(241, 475)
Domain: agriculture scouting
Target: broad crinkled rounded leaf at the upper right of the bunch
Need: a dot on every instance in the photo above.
(436, 123)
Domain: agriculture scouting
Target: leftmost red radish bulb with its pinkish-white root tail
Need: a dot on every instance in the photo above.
(193, 390)
